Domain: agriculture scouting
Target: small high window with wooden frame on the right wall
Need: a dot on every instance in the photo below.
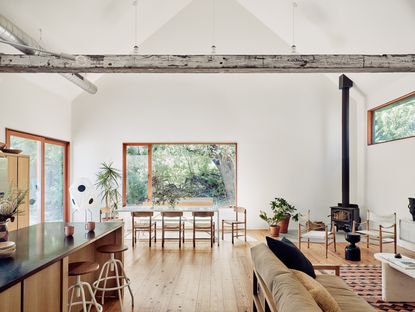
(394, 120)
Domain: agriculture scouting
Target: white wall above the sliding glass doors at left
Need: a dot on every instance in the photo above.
(26, 107)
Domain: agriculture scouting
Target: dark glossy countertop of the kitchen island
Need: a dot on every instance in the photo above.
(40, 245)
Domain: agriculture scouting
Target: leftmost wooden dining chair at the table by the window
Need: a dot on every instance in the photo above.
(145, 223)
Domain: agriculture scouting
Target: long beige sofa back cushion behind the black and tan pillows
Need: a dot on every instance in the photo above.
(288, 293)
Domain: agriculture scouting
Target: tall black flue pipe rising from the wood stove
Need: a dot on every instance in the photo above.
(345, 84)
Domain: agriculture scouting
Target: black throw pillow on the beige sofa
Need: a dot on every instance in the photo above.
(291, 256)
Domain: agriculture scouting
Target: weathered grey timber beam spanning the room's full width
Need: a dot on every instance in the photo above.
(321, 63)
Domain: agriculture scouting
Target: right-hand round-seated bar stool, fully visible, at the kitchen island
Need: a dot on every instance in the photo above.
(116, 265)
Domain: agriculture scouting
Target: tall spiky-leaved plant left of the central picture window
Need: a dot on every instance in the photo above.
(107, 182)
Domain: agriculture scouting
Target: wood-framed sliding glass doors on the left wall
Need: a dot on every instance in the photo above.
(48, 175)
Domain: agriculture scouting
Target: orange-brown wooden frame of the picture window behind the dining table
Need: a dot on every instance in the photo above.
(150, 165)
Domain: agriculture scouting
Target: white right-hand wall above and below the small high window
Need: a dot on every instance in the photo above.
(390, 166)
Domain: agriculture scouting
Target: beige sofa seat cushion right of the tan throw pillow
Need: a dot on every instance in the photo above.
(343, 294)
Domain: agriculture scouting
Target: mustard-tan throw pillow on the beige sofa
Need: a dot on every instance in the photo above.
(318, 292)
